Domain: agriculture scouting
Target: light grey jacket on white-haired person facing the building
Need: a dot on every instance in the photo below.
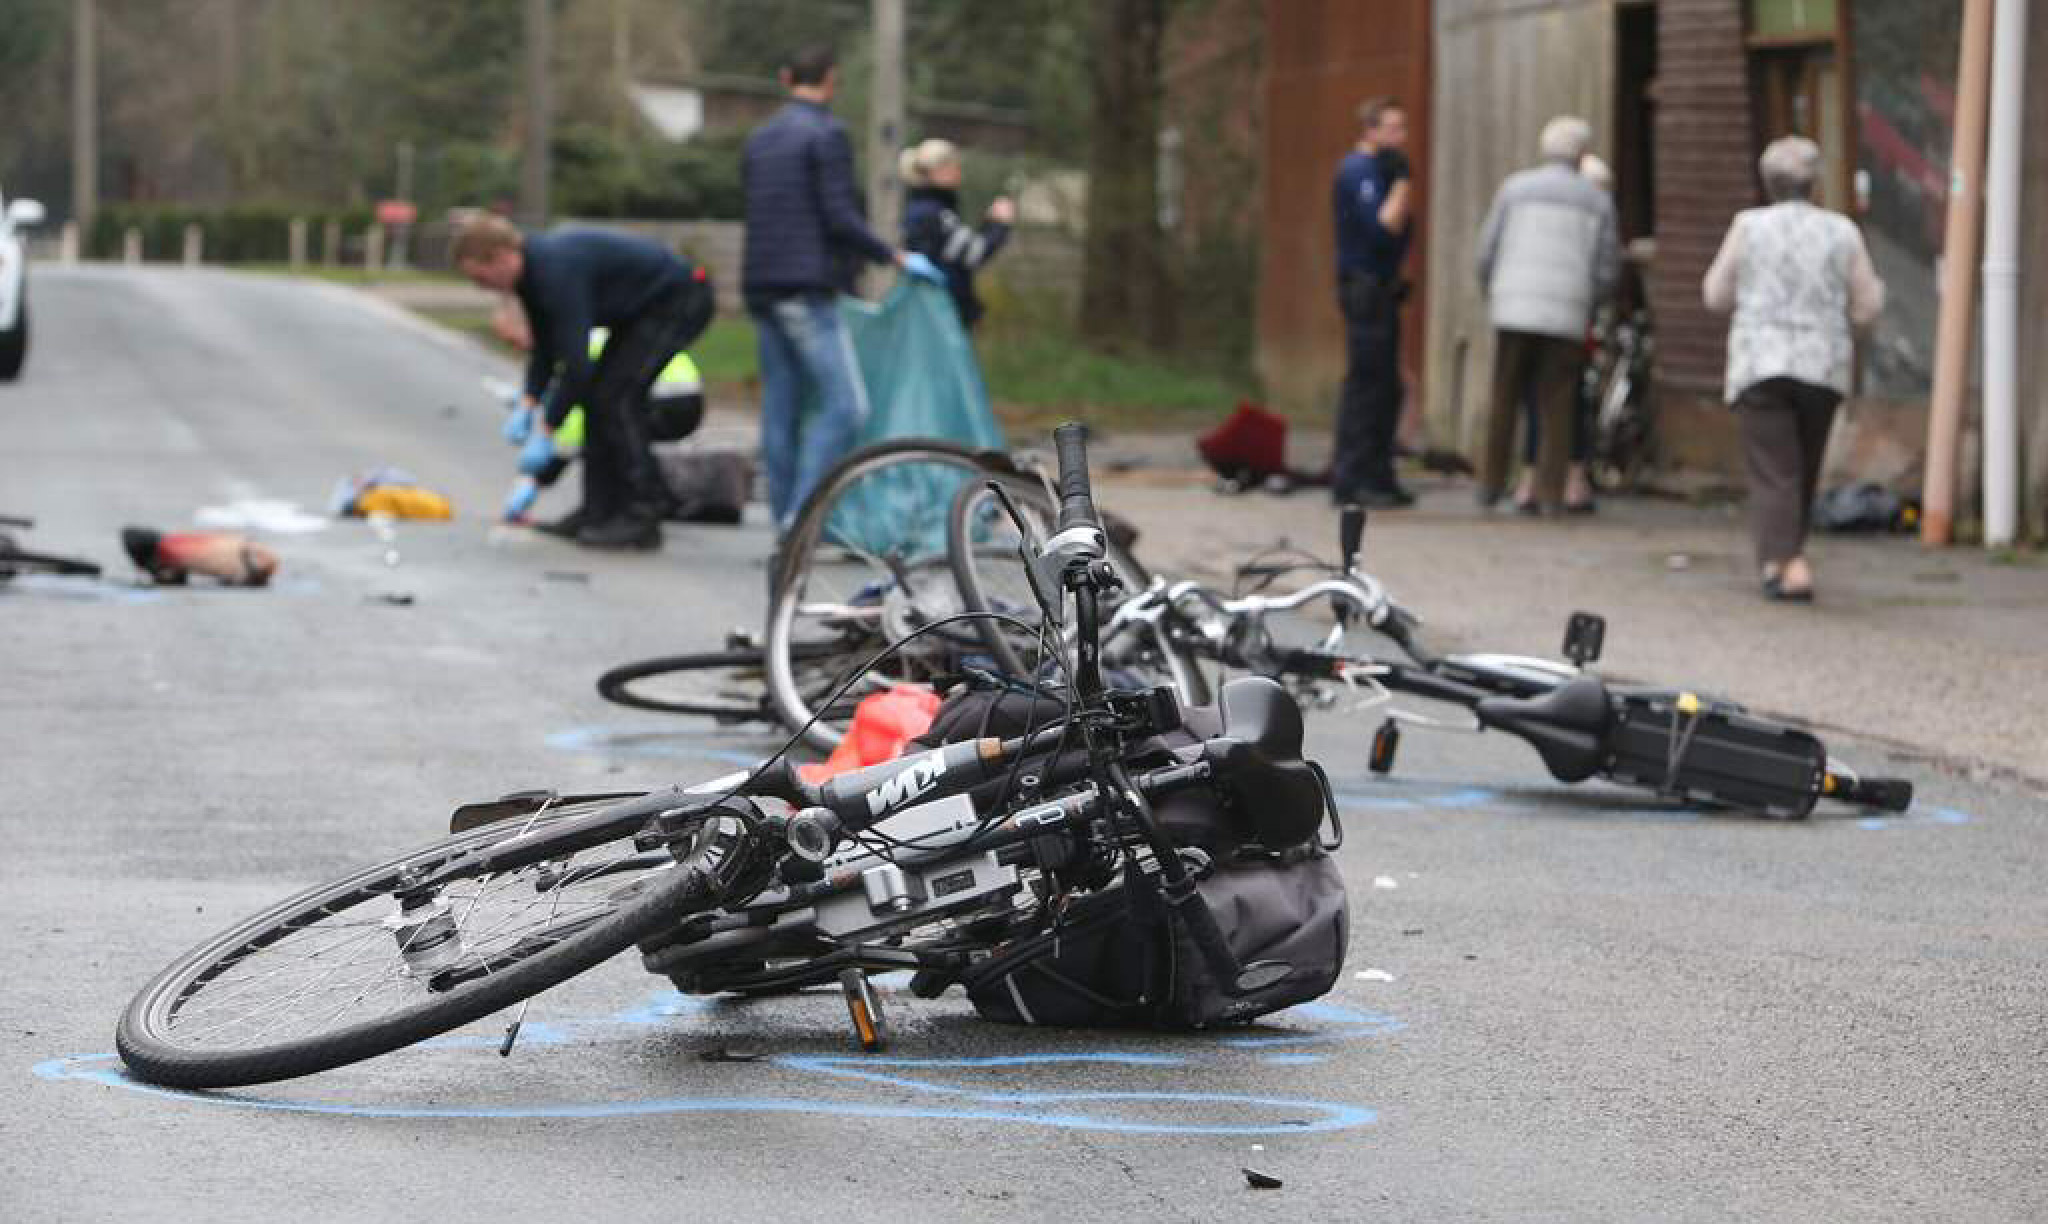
(1549, 253)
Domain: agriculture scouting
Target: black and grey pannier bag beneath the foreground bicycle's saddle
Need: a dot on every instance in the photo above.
(1123, 955)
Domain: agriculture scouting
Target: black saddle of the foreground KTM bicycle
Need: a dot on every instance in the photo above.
(1258, 762)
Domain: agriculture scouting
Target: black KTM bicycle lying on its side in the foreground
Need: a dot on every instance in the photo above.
(945, 863)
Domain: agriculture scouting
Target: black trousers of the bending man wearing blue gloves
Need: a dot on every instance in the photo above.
(620, 470)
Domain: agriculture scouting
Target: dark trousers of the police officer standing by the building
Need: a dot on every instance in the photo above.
(1371, 406)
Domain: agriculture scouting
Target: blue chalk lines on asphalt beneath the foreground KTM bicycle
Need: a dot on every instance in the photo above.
(1119, 1112)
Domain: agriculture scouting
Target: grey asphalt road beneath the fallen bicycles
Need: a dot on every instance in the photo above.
(1586, 1006)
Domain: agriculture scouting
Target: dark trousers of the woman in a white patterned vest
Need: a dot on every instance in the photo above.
(1785, 437)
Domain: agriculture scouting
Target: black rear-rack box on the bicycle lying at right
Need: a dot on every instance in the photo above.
(1713, 752)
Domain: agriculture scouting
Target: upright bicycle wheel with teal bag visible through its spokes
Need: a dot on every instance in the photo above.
(863, 568)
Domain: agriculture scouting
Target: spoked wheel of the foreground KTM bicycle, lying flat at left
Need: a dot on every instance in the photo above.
(345, 973)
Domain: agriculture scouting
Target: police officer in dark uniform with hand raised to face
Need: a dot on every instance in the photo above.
(1373, 232)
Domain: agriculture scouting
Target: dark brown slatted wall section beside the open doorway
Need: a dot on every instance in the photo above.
(1705, 175)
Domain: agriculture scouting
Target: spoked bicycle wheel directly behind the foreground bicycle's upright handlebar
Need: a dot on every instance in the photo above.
(988, 566)
